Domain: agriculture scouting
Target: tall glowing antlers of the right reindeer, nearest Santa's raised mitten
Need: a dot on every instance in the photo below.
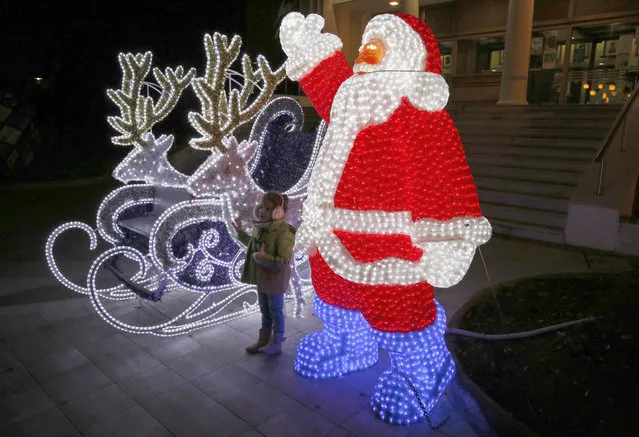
(221, 113)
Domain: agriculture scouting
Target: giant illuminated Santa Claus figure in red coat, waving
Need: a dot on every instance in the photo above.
(392, 208)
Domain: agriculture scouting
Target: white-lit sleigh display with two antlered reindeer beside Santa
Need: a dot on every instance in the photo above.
(177, 227)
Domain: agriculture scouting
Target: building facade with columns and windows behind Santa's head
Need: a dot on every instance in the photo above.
(517, 51)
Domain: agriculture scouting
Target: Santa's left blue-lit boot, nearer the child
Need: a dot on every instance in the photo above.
(345, 345)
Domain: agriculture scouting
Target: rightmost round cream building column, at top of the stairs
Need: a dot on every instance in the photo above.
(514, 77)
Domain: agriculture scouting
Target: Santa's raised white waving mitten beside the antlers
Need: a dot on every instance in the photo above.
(304, 44)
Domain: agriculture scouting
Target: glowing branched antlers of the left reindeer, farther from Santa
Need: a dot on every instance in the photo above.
(138, 112)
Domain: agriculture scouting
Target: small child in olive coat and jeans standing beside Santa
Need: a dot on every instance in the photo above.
(268, 265)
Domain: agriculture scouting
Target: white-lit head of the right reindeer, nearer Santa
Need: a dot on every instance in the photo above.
(225, 174)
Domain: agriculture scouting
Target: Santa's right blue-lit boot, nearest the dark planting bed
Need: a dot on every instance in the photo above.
(421, 368)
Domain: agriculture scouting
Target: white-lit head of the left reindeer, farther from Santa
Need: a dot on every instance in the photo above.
(148, 162)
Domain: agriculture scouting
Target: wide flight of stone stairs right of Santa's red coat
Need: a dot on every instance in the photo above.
(527, 160)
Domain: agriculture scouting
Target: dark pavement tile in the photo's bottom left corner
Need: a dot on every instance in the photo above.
(51, 423)
